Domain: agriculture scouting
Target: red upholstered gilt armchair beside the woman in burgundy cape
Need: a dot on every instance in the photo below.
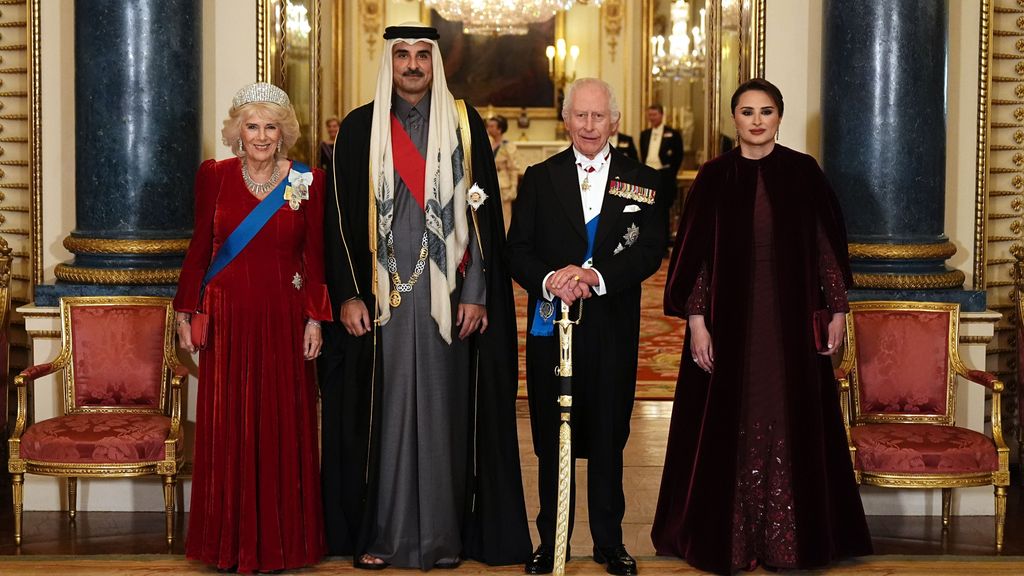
(899, 389)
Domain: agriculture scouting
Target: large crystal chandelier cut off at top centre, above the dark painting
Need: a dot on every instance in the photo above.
(501, 17)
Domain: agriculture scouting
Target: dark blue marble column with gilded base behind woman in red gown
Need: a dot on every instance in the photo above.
(138, 96)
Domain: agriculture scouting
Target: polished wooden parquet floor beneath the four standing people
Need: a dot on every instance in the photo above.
(905, 545)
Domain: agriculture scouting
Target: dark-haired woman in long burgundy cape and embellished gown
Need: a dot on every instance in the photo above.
(757, 470)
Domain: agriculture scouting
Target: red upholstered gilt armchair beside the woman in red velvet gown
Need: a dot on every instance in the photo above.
(121, 391)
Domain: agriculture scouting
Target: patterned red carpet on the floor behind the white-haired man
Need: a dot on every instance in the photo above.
(661, 342)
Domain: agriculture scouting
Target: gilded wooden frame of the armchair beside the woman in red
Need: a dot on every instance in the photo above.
(170, 405)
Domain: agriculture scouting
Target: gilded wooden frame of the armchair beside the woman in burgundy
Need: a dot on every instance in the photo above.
(847, 377)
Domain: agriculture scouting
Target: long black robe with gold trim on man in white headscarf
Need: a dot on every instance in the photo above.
(495, 530)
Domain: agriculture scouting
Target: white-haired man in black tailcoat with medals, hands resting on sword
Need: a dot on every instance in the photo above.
(590, 225)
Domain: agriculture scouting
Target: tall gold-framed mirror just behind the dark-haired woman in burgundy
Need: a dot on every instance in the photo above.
(699, 53)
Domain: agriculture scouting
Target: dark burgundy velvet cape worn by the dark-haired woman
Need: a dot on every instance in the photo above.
(695, 518)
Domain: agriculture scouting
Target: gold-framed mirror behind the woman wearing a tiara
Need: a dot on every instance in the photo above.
(288, 55)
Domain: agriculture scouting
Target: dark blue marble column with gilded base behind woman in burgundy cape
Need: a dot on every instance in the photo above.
(884, 146)
